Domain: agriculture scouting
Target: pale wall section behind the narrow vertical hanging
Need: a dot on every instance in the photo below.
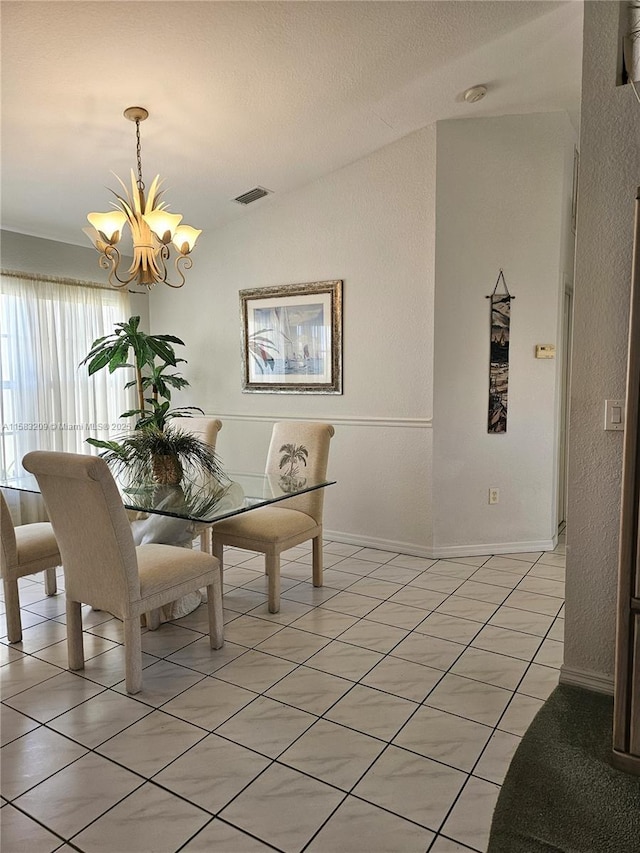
(503, 201)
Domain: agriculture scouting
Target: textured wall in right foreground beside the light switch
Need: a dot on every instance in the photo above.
(609, 176)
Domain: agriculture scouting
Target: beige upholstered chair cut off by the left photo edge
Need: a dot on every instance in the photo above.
(25, 550)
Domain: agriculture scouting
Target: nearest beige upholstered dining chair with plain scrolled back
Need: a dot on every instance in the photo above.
(103, 567)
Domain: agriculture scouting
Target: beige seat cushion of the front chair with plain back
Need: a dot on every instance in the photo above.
(163, 566)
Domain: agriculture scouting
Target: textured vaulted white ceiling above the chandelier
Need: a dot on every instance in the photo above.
(242, 94)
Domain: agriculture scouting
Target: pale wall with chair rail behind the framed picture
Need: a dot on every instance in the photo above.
(372, 225)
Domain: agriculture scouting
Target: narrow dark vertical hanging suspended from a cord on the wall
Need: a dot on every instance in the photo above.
(499, 360)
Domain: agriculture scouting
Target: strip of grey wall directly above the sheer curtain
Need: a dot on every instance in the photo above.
(23, 253)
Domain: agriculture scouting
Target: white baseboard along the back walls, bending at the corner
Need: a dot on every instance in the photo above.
(449, 552)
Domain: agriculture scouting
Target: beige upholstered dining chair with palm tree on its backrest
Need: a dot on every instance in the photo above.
(275, 528)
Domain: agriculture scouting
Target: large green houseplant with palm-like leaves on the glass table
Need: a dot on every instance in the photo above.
(154, 451)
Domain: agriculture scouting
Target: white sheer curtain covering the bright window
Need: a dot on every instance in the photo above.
(48, 401)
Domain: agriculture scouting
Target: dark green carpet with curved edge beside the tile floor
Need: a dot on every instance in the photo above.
(561, 792)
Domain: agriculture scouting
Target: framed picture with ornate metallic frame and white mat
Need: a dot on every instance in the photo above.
(292, 338)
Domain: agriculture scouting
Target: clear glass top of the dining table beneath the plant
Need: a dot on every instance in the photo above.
(202, 501)
